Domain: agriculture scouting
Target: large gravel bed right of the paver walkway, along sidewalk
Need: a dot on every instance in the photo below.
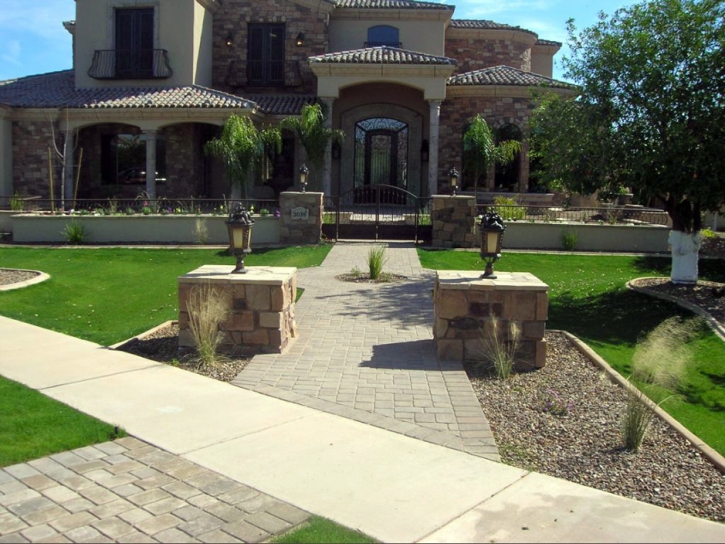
(581, 441)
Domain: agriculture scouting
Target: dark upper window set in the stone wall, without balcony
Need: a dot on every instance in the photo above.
(265, 58)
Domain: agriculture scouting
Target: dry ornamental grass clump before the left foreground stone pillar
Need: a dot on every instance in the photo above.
(208, 307)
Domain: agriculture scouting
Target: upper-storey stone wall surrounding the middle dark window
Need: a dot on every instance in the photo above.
(234, 16)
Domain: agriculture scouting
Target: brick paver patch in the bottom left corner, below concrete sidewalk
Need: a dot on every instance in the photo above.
(130, 491)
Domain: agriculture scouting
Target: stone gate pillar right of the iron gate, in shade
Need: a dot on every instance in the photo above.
(453, 219)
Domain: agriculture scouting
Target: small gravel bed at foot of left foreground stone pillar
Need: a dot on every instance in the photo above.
(163, 346)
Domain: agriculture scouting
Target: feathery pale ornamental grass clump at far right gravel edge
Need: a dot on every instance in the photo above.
(659, 362)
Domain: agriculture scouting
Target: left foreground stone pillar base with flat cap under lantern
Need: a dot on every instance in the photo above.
(262, 303)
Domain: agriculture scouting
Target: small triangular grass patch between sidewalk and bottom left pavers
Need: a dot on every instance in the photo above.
(33, 425)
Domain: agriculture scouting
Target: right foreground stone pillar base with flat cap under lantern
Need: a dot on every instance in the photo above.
(465, 307)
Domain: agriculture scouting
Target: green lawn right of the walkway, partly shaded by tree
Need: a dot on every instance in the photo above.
(588, 298)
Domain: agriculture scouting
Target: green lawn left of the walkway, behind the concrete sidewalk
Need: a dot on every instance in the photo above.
(109, 295)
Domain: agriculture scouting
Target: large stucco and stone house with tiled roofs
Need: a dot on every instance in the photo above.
(153, 80)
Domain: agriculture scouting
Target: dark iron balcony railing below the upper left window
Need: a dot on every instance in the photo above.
(130, 64)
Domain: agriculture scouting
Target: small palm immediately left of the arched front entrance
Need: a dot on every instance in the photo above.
(310, 130)
